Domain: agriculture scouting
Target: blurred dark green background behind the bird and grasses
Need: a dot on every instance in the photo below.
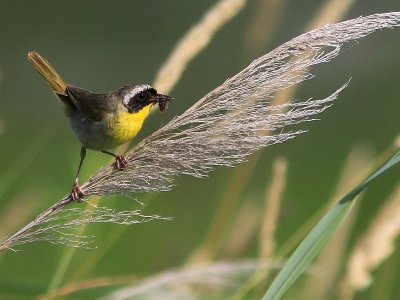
(101, 45)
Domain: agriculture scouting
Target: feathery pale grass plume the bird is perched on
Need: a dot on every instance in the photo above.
(222, 129)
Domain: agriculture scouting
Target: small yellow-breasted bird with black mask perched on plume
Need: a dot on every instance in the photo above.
(101, 121)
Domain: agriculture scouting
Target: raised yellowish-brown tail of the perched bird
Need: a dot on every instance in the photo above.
(47, 71)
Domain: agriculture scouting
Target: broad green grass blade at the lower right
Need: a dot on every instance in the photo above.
(319, 235)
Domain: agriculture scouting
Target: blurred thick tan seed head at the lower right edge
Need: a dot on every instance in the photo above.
(377, 244)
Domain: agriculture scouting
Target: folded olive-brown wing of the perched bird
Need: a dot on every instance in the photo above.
(95, 107)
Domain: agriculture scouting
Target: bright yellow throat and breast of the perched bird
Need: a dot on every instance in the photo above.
(127, 125)
